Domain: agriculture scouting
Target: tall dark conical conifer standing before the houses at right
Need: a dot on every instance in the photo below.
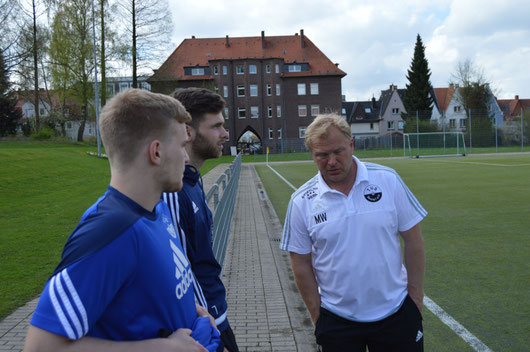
(418, 94)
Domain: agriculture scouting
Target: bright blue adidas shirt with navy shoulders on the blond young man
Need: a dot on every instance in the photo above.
(123, 276)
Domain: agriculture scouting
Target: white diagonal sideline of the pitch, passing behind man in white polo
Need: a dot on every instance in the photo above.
(457, 328)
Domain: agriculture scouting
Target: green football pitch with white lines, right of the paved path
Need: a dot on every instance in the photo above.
(477, 243)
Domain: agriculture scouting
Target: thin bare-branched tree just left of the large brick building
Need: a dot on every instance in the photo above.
(149, 30)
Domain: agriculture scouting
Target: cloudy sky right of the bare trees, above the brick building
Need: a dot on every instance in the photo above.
(373, 41)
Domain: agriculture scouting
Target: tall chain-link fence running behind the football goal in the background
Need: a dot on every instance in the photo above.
(424, 133)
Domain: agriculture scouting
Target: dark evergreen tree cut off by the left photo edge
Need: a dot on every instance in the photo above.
(9, 116)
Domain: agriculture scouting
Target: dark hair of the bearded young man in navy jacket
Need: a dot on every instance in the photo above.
(199, 101)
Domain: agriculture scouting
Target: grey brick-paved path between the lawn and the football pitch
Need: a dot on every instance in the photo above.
(265, 309)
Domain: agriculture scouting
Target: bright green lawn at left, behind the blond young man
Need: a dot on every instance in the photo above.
(45, 187)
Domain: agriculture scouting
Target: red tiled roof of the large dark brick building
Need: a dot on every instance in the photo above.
(200, 51)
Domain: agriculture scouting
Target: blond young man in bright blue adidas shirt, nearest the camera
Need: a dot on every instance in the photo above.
(123, 279)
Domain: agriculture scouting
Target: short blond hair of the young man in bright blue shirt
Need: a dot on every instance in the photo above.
(134, 116)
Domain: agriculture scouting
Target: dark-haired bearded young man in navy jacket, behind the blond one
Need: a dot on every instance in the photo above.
(207, 136)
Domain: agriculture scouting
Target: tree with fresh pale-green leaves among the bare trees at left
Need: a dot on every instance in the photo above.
(71, 55)
